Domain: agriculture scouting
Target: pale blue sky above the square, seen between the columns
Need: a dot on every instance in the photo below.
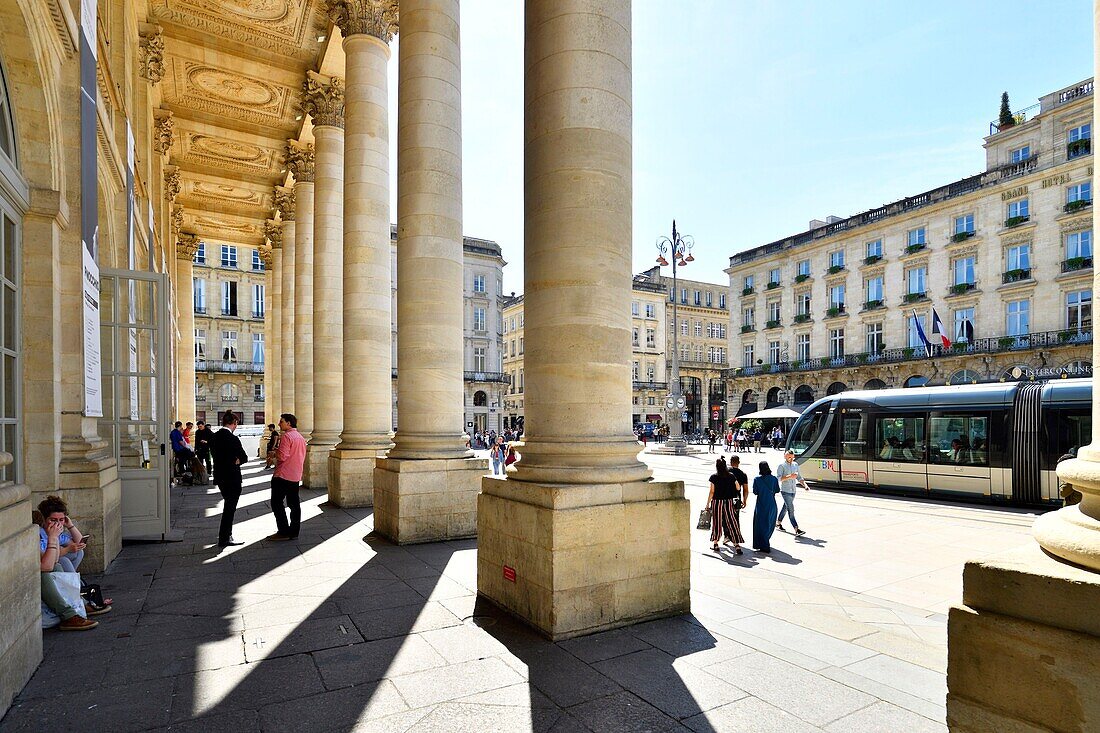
(753, 118)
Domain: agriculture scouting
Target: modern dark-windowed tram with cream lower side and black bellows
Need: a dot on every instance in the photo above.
(996, 443)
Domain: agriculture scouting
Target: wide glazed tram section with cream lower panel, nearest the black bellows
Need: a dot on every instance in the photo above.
(959, 454)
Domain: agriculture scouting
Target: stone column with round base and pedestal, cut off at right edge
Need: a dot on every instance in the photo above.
(1024, 649)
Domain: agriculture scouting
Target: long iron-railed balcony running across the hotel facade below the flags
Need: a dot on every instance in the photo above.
(993, 345)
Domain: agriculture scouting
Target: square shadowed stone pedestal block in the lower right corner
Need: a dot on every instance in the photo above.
(1024, 651)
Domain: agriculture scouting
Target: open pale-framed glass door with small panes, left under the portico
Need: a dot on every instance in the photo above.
(135, 334)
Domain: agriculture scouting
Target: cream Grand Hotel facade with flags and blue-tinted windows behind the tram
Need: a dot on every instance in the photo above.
(1004, 258)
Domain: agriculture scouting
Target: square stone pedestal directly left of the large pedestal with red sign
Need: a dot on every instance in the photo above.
(426, 501)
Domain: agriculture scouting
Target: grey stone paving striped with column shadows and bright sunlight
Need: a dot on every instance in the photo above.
(840, 631)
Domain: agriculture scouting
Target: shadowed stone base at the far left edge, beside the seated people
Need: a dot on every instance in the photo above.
(20, 598)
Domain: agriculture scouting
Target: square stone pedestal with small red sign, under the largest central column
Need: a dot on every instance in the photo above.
(578, 560)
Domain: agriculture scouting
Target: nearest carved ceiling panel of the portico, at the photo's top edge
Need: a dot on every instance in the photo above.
(287, 27)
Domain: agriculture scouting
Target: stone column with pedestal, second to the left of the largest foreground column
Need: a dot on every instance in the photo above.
(368, 27)
